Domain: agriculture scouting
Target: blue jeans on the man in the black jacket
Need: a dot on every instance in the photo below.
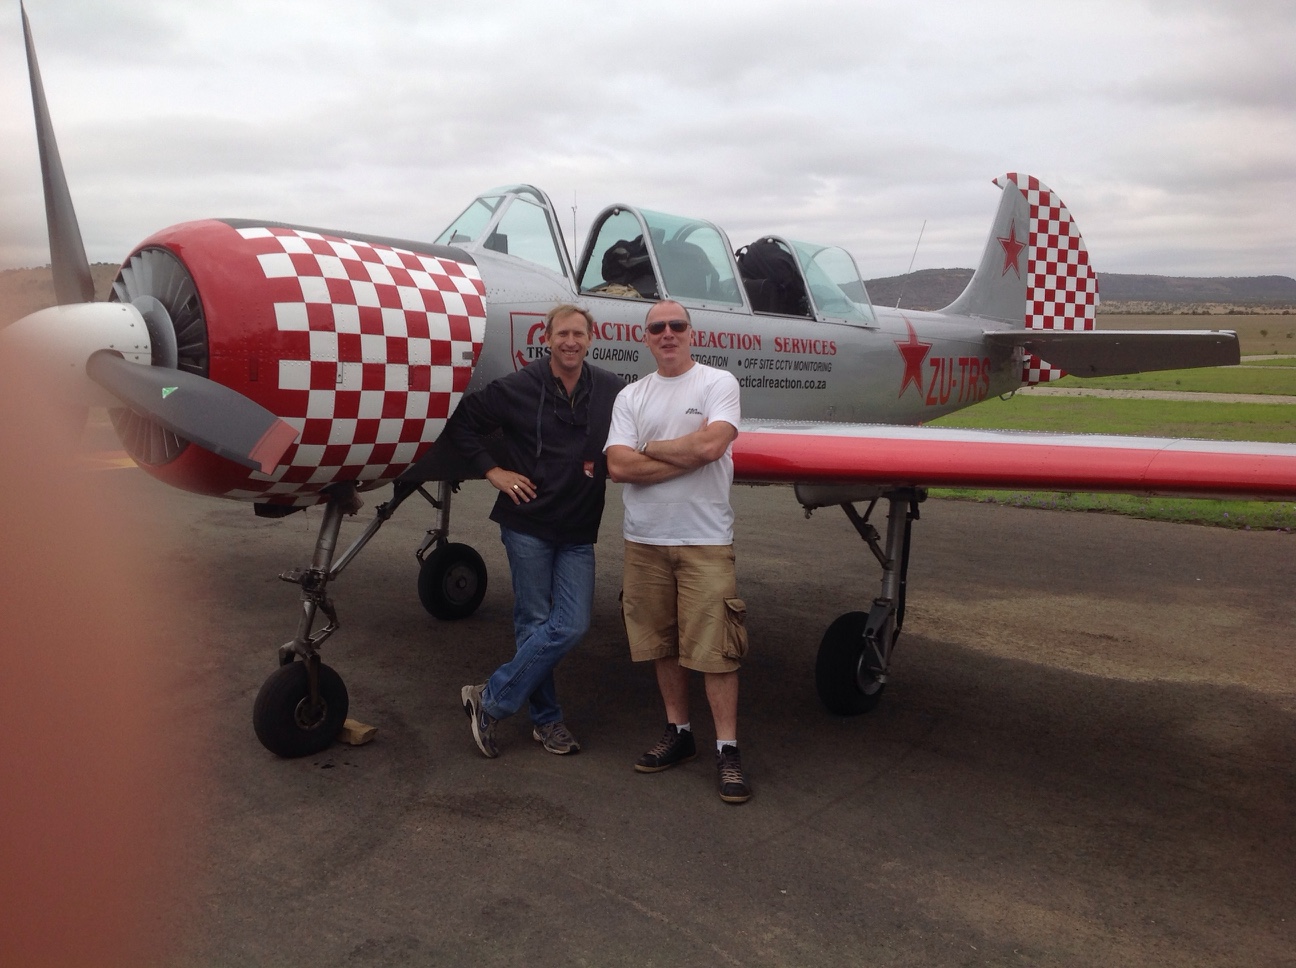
(553, 597)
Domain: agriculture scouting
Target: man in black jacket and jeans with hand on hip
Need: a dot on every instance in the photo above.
(554, 415)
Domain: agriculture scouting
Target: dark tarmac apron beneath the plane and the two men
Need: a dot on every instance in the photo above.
(1087, 756)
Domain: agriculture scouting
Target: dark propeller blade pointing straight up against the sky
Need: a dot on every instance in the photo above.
(68, 260)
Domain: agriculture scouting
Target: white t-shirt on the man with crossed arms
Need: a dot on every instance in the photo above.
(693, 509)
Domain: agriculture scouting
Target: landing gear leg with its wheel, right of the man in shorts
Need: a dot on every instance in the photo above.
(855, 655)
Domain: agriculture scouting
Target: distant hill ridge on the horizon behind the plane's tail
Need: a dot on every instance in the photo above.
(934, 290)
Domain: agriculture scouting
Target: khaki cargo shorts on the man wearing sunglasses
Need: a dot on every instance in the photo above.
(682, 601)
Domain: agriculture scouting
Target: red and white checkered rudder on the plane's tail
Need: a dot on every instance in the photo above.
(1062, 288)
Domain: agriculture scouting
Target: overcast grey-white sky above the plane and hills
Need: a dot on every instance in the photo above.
(1167, 126)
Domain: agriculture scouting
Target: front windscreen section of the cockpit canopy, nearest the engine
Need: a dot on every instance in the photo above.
(515, 221)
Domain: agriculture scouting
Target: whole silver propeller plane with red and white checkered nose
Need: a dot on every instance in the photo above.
(287, 366)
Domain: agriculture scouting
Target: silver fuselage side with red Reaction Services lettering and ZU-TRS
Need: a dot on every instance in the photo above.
(907, 367)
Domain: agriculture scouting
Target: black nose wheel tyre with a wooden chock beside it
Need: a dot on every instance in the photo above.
(282, 715)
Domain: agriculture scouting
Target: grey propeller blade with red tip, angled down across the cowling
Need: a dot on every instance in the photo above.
(200, 410)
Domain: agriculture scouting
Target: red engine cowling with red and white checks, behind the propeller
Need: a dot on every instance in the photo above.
(365, 348)
